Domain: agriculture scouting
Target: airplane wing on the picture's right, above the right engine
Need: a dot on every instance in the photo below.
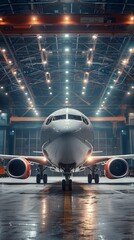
(92, 160)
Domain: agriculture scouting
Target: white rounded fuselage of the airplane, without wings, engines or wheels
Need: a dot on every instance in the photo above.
(67, 138)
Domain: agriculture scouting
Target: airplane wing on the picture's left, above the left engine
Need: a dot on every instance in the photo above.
(34, 159)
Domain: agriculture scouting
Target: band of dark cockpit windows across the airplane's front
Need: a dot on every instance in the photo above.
(67, 117)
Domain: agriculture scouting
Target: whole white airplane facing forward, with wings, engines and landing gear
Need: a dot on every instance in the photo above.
(67, 146)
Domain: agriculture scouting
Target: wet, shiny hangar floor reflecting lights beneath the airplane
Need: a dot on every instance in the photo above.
(45, 212)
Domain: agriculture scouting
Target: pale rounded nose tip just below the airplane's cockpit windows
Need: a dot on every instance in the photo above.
(67, 126)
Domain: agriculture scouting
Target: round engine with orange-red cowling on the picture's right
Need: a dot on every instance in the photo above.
(116, 168)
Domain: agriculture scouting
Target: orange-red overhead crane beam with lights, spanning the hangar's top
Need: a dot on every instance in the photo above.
(37, 24)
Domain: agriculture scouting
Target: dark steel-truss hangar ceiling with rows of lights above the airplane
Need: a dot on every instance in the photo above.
(88, 65)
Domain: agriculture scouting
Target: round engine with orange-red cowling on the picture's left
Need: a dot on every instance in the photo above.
(18, 168)
